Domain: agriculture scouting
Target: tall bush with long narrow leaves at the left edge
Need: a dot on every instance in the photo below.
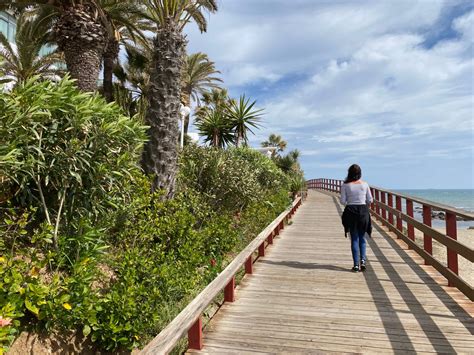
(69, 154)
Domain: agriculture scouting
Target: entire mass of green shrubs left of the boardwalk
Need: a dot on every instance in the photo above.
(125, 262)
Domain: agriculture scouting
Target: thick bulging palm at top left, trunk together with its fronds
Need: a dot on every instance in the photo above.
(81, 29)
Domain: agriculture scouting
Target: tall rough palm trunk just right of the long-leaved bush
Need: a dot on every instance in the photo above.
(160, 154)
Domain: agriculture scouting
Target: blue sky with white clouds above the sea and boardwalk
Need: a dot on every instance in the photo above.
(386, 84)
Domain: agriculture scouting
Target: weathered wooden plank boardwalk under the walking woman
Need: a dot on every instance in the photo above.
(303, 298)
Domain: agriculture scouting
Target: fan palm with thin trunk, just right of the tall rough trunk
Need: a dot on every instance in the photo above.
(198, 78)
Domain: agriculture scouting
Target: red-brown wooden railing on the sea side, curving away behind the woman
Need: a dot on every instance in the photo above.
(394, 218)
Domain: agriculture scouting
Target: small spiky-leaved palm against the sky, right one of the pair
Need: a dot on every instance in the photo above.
(243, 118)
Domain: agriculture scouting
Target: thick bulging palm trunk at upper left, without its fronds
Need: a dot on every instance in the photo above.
(82, 37)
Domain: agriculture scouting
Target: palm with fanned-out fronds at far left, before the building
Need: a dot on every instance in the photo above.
(23, 62)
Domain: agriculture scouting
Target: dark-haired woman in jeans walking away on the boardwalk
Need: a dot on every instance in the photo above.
(356, 196)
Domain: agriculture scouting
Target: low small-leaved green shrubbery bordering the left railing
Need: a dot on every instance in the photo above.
(162, 255)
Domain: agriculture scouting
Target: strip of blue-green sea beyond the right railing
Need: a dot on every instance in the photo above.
(462, 199)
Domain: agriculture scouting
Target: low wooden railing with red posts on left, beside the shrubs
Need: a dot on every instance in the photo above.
(190, 320)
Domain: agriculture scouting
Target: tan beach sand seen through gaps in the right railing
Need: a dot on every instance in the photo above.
(466, 237)
